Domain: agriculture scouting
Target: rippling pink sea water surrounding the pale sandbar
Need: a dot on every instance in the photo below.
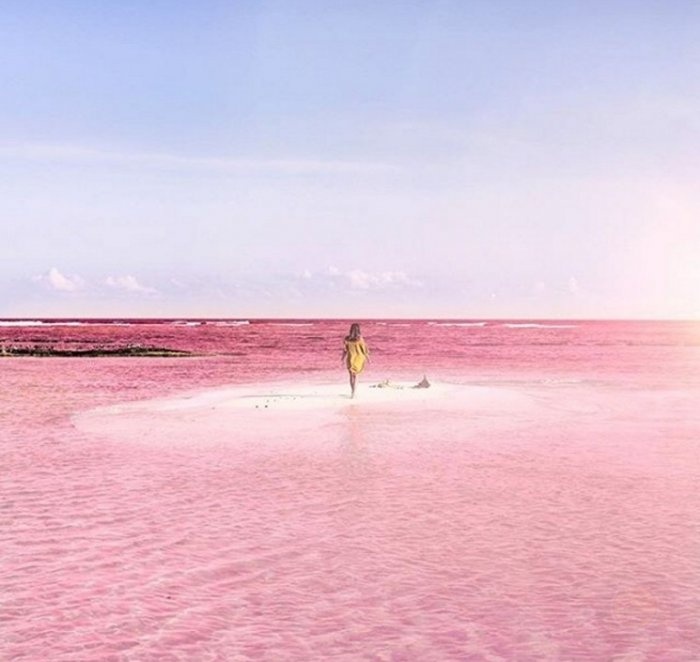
(567, 529)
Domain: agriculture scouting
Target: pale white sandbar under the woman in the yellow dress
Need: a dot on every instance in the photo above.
(278, 409)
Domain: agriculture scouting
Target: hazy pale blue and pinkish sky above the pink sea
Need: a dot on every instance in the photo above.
(339, 158)
